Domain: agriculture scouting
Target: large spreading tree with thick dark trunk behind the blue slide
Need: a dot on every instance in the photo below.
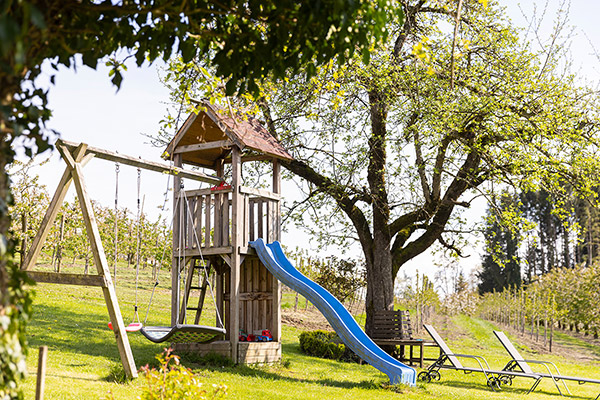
(389, 152)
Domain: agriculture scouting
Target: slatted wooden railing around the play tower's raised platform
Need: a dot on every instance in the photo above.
(206, 218)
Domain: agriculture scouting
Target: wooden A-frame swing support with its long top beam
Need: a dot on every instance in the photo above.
(76, 156)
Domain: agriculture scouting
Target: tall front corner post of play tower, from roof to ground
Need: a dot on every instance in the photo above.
(236, 230)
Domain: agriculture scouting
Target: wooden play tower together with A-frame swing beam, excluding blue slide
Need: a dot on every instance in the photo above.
(211, 230)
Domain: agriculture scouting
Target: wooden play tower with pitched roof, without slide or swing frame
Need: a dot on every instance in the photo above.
(212, 228)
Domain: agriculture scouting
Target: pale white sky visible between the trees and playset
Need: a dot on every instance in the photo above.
(88, 108)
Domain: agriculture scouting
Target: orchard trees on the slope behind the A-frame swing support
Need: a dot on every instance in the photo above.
(68, 236)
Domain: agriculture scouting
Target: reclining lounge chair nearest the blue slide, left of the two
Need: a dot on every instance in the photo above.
(450, 360)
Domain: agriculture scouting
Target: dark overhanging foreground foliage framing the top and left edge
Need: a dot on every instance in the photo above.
(245, 40)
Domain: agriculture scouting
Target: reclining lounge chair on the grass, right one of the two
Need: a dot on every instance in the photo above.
(519, 363)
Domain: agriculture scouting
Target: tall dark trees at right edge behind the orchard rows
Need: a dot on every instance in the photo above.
(547, 232)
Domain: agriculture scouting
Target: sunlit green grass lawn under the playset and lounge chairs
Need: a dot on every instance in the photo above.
(83, 361)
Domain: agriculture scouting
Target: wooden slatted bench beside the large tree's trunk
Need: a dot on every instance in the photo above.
(393, 328)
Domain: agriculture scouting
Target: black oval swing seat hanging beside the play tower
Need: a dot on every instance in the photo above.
(183, 333)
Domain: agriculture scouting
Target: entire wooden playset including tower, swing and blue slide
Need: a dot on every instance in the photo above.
(217, 230)
